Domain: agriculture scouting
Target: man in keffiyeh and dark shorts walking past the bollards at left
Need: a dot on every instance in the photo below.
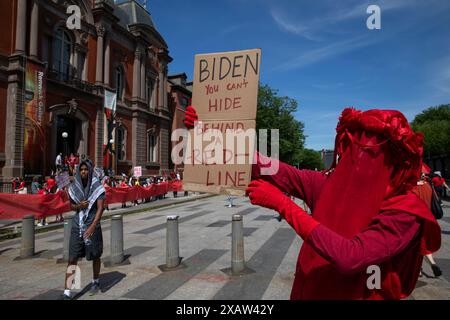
(87, 196)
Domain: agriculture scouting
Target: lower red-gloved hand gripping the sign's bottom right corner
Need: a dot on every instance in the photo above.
(264, 194)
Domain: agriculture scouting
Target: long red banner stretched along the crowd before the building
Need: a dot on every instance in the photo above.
(15, 206)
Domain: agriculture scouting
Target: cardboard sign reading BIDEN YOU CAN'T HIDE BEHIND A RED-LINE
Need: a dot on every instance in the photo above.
(220, 148)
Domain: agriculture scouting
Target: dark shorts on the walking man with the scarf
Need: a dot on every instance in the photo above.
(77, 247)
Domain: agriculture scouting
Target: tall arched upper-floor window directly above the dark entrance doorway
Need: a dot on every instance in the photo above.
(62, 50)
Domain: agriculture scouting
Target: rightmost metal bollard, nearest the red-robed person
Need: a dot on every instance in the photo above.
(237, 245)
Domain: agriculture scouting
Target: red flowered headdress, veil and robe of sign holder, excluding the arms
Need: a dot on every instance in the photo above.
(379, 163)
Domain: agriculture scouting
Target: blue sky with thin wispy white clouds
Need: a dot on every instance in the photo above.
(321, 52)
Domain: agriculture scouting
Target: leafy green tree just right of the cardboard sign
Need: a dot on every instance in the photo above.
(275, 112)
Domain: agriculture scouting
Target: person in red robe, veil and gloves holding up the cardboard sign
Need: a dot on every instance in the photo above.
(364, 214)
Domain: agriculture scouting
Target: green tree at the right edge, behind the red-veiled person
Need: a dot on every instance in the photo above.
(434, 123)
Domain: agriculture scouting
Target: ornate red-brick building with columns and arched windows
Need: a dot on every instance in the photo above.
(53, 80)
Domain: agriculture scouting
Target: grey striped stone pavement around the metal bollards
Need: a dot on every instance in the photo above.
(271, 249)
